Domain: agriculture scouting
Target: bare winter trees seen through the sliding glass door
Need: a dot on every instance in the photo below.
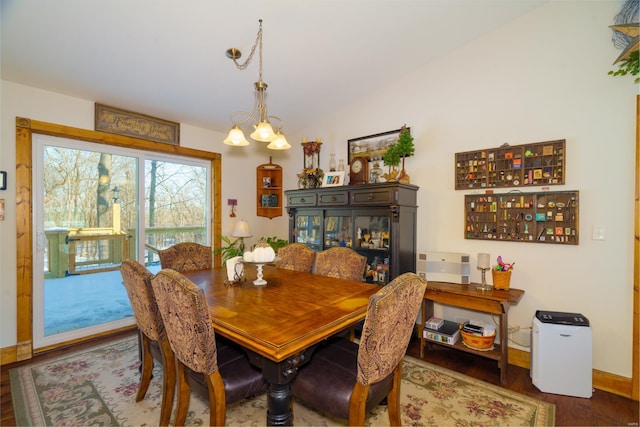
(83, 188)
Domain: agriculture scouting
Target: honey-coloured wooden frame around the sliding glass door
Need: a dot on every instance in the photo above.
(25, 128)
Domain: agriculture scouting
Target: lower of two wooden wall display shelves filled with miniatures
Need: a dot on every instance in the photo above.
(545, 217)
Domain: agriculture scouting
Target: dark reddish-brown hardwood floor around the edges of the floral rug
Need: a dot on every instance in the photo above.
(603, 409)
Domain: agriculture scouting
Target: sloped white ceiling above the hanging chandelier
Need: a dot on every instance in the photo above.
(166, 58)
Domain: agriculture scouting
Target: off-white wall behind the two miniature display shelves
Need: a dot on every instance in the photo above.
(541, 77)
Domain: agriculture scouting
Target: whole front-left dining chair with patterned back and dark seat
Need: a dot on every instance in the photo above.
(229, 376)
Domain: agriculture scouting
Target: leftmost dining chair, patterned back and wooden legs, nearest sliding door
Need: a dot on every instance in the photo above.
(153, 336)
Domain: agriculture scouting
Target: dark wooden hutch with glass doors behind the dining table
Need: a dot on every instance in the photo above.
(375, 220)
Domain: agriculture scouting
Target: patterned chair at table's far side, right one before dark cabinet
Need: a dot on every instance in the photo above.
(340, 262)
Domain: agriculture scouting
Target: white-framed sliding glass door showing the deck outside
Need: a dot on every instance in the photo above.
(95, 205)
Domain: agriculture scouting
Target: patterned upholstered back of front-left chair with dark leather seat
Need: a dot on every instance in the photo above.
(185, 314)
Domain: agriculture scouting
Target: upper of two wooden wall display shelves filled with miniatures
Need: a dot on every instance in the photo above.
(512, 166)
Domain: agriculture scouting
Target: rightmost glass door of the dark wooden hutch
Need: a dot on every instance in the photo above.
(372, 241)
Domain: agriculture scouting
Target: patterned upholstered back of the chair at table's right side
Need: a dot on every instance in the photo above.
(388, 326)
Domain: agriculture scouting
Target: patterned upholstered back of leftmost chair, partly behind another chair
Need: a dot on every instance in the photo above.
(137, 282)
